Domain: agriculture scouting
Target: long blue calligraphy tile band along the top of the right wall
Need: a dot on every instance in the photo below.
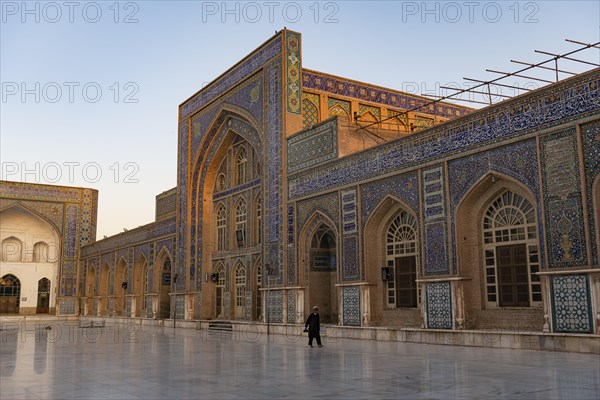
(514, 118)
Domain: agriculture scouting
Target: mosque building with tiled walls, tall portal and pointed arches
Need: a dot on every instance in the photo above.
(298, 188)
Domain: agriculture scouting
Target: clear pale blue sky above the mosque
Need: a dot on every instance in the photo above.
(90, 90)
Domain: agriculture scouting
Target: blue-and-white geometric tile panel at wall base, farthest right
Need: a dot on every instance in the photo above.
(571, 304)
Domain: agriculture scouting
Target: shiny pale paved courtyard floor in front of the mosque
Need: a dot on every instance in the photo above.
(134, 362)
